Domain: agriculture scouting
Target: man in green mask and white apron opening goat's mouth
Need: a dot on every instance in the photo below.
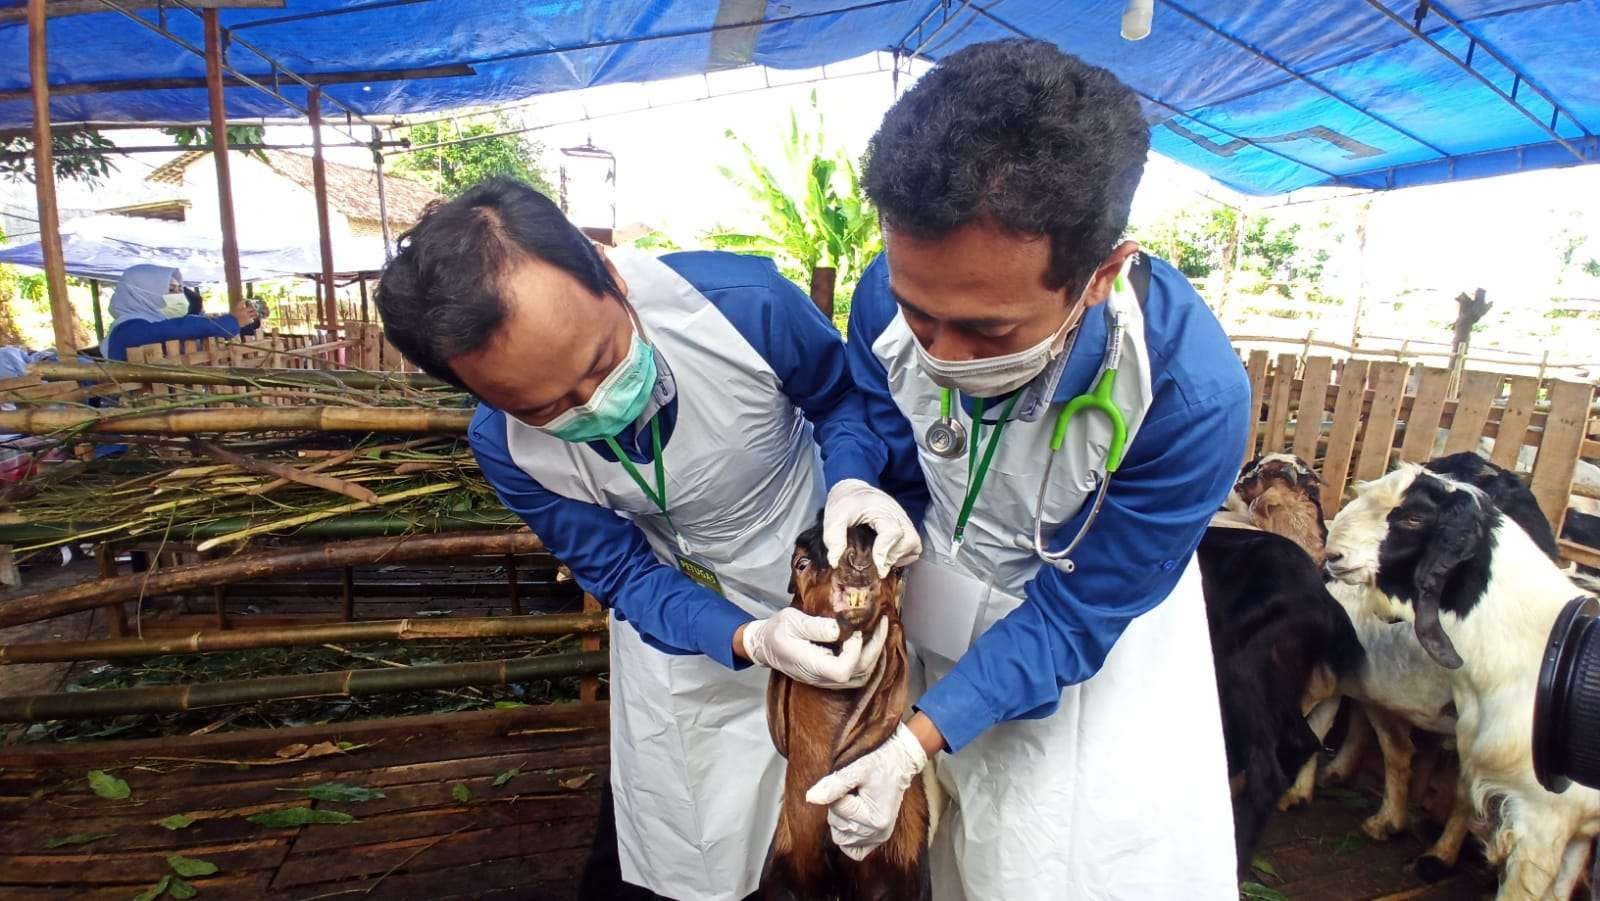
(668, 428)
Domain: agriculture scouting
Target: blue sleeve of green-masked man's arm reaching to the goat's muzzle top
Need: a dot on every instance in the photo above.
(802, 348)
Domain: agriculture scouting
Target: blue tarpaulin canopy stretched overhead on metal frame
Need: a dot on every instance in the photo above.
(1266, 97)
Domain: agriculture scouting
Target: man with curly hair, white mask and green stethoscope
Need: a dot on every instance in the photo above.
(1076, 702)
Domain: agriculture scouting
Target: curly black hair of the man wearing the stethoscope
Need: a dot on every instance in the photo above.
(1018, 134)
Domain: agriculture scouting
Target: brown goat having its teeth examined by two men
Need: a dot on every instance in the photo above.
(820, 731)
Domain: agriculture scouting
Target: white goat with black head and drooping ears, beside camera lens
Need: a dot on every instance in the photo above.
(1482, 599)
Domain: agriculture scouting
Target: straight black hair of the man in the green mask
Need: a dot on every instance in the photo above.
(444, 292)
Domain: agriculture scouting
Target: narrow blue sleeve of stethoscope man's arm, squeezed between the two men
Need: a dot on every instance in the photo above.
(871, 313)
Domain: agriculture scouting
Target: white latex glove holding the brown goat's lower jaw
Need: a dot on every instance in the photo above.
(786, 643)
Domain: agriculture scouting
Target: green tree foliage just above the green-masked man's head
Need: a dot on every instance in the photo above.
(458, 167)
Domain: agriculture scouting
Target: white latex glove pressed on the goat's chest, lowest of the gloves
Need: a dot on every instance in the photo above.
(863, 799)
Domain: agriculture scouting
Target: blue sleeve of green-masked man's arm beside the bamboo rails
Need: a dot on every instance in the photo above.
(610, 558)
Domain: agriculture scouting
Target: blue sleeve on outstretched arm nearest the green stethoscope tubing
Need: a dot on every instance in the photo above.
(1177, 476)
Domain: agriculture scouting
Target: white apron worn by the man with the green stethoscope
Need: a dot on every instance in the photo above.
(1124, 791)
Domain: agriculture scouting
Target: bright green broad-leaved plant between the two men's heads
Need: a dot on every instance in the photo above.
(814, 210)
